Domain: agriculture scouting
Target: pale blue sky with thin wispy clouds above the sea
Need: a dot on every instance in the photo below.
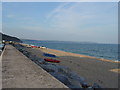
(63, 21)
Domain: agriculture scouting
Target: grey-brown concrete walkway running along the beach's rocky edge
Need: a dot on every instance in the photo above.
(20, 72)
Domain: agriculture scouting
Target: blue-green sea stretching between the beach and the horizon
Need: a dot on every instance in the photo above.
(105, 51)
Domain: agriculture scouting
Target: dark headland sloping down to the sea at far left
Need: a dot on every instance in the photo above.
(9, 38)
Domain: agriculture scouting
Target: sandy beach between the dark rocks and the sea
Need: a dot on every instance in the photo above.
(94, 70)
